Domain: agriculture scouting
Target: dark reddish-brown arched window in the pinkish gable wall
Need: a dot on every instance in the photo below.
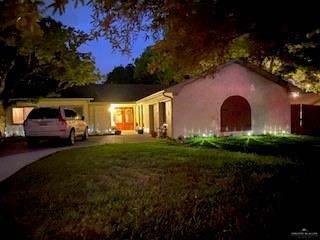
(235, 114)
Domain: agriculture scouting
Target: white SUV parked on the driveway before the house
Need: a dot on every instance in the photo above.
(49, 122)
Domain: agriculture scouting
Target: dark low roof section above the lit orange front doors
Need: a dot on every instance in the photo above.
(111, 92)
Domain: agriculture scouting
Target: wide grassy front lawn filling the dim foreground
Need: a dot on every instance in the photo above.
(155, 191)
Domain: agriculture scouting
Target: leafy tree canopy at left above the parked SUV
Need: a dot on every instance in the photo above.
(41, 54)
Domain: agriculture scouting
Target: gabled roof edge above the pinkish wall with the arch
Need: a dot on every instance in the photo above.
(246, 65)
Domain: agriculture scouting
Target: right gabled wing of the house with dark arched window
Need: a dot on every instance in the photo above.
(234, 99)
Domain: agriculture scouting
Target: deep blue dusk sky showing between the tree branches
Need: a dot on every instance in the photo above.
(106, 58)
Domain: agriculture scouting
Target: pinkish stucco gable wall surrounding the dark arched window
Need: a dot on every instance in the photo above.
(196, 106)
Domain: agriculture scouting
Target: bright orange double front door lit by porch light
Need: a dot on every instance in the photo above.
(124, 118)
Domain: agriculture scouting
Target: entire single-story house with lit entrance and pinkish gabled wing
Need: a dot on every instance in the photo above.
(235, 98)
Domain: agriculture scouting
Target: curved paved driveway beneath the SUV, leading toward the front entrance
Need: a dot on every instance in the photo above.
(15, 156)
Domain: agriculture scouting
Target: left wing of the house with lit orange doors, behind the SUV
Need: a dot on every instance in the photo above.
(102, 105)
